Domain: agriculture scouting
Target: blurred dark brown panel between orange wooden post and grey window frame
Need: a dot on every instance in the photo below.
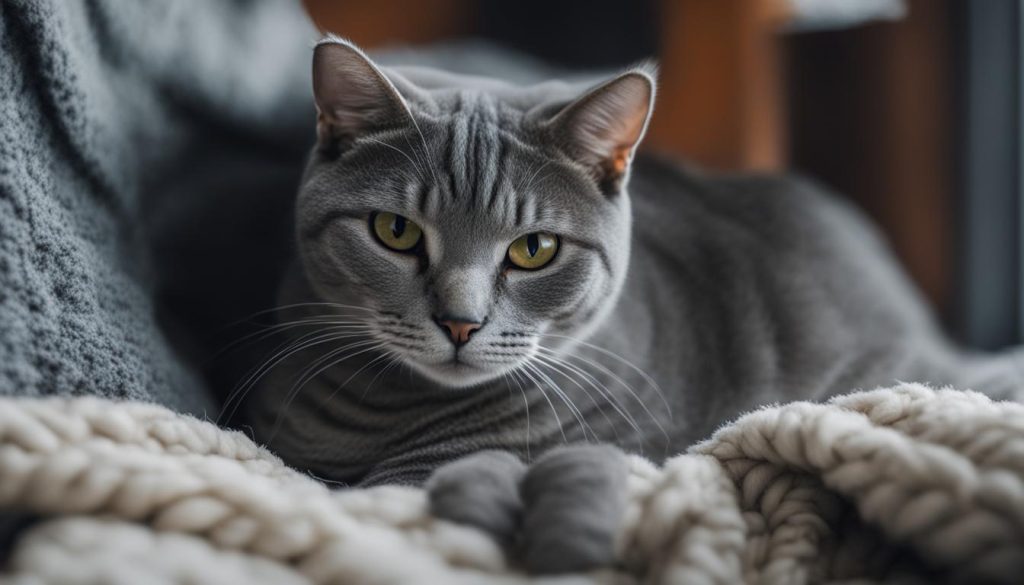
(872, 114)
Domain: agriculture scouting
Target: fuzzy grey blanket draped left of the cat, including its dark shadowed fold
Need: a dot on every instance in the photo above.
(149, 152)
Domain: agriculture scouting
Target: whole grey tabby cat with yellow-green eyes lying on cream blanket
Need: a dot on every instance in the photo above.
(478, 299)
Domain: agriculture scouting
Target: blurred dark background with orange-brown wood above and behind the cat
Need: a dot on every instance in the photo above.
(918, 120)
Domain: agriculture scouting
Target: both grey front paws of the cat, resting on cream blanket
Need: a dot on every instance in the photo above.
(561, 515)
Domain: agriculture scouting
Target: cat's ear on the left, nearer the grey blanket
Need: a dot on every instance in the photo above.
(353, 96)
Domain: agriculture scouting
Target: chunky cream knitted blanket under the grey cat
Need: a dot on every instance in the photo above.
(906, 484)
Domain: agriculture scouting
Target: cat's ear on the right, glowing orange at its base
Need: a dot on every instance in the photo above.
(603, 129)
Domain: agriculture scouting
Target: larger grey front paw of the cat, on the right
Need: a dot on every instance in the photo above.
(574, 499)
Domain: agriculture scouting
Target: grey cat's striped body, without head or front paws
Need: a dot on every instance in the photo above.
(742, 291)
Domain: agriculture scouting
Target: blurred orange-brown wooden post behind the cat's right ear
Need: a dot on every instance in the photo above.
(720, 98)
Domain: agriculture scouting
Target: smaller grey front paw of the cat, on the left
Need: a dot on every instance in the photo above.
(482, 491)
